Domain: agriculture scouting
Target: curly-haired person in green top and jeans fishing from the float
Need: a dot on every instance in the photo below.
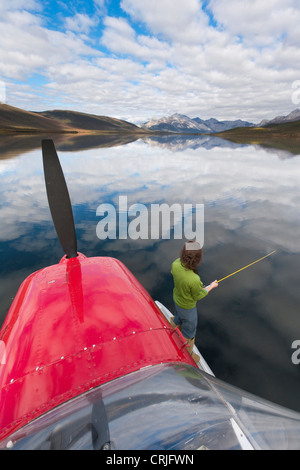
(188, 289)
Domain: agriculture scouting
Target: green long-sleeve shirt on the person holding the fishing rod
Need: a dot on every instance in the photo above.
(188, 288)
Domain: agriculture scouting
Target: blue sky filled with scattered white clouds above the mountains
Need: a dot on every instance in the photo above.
(138, 60)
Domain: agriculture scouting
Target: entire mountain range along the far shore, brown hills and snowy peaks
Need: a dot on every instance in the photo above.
(15, 120)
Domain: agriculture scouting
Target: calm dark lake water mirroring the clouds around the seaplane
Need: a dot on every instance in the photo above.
(251, 200)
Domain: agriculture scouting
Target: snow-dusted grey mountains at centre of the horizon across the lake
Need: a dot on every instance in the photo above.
(181, 123)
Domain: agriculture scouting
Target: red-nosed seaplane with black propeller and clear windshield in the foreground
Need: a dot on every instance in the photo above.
(88, 360)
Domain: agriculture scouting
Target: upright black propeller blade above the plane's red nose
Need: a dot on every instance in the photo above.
(59, 199)
